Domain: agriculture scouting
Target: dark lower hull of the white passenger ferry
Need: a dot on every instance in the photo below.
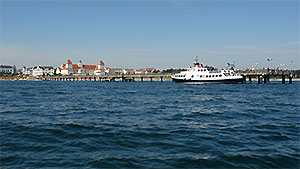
(224, 81)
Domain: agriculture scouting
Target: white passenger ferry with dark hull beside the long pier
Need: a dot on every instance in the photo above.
(200, 74)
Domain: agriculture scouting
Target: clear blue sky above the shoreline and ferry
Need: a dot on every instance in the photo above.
(151, 33)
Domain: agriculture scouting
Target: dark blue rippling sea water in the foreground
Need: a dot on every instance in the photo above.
(149, 125)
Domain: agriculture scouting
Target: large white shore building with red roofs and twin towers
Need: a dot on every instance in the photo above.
(80, 69)
